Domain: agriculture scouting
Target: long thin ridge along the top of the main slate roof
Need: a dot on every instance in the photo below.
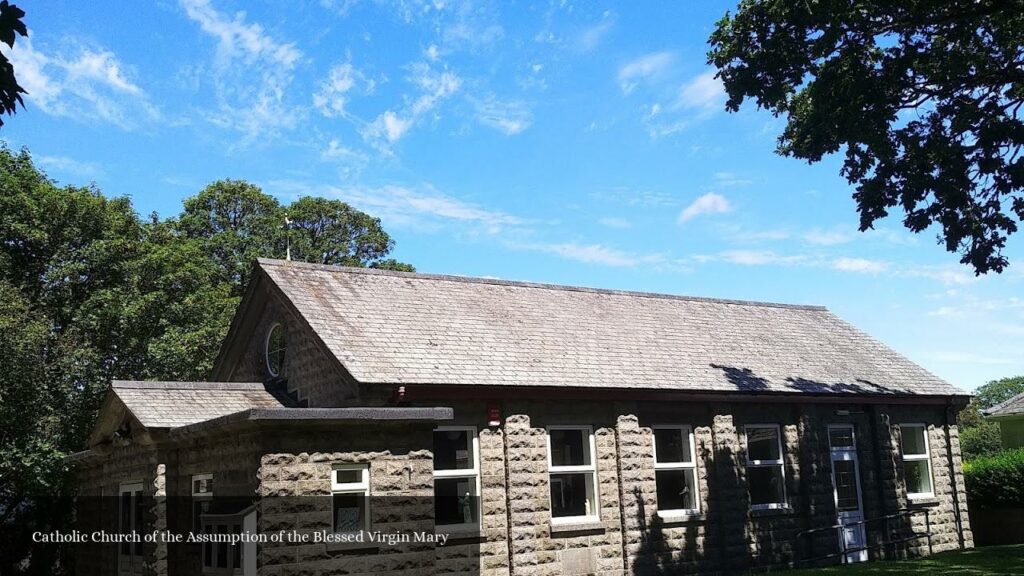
(536, 285)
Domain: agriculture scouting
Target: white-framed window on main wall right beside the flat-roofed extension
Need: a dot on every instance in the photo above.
(457, 477)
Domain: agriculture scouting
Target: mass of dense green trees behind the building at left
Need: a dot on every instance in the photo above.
(90, 293)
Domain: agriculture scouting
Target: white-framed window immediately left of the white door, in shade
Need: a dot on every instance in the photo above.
(765, 469)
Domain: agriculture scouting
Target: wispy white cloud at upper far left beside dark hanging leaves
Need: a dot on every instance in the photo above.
(89, 85)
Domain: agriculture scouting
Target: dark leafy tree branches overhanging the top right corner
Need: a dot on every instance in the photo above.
(925, 98)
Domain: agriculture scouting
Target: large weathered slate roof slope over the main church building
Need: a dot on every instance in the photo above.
(393, 327)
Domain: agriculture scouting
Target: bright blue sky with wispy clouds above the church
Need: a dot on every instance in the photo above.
(574, 143)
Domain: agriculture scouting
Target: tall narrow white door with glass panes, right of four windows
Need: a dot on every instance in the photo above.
(846, 489)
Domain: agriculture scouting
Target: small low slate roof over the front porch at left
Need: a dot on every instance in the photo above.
(167, 405)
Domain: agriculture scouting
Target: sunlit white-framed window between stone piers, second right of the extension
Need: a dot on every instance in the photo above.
(573, 474)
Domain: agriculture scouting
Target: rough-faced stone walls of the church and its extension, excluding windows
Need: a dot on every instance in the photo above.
(290, 470)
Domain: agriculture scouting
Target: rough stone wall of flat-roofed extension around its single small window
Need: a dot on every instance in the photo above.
(295, 487)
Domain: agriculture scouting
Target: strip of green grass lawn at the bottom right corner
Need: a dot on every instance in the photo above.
(991, 561)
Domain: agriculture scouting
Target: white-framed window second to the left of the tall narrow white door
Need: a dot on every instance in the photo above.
(675, 471)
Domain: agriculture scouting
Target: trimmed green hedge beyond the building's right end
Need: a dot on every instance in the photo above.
(997, 480)
